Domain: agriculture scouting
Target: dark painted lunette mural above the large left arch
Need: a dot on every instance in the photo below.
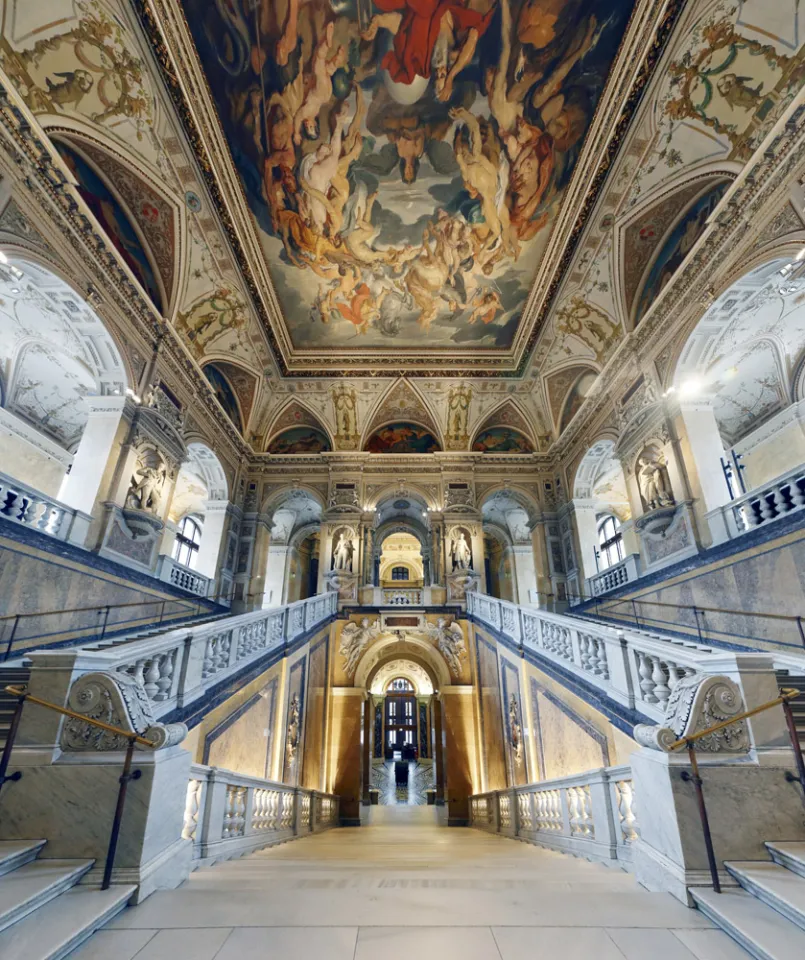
(114, 221)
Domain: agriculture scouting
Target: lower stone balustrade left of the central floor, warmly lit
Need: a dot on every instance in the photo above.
(229, 814)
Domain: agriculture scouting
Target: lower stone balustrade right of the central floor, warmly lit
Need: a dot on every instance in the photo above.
(590, 814)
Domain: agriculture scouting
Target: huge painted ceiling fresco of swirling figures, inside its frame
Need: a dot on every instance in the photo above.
(405, 161)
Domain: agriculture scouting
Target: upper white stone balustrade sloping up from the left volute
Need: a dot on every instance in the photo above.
(177, 667)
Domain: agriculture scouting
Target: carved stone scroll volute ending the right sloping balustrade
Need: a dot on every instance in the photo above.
(695, 704)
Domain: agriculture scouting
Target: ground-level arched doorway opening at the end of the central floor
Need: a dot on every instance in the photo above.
(402, 770)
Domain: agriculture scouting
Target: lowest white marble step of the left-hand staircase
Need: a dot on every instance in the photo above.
(58, 927)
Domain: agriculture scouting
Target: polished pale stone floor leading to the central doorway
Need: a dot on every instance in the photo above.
(404, 887)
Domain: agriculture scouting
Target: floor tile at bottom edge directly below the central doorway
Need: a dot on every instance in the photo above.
(426, 943)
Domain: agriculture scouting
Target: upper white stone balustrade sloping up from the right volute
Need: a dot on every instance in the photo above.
(633, 668)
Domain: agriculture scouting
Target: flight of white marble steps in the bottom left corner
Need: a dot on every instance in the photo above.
(44, 914)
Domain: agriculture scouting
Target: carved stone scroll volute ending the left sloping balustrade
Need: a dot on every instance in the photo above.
(121, 701)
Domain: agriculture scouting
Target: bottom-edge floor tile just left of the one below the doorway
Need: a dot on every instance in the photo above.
(290, 943)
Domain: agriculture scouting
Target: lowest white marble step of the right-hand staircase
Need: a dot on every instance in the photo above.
(760, 930)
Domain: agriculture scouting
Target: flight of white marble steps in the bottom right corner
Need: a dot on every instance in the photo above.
(766, 913)
